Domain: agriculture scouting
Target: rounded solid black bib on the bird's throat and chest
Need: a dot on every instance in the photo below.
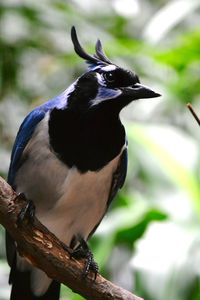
(86, 140)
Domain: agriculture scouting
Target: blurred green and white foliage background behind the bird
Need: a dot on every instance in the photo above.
(149, 241)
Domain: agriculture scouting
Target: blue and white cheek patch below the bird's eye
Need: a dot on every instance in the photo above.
(105, 94)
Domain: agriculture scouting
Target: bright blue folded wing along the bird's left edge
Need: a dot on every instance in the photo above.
(26, 130)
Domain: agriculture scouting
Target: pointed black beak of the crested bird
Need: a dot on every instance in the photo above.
(139, 91)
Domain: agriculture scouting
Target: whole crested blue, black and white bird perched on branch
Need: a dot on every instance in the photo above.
(70, 159)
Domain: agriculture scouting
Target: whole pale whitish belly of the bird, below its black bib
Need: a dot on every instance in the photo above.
(68, 203)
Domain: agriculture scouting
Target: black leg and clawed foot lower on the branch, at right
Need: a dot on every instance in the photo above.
(83, 251)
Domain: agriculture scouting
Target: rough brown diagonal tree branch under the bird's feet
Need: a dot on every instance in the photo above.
(43, 250)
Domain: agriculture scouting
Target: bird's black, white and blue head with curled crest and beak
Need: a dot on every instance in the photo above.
(105, 82)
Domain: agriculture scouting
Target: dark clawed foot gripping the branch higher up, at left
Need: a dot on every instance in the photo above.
(27, 213)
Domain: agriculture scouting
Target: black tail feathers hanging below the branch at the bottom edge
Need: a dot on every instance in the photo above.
(21, 288)
